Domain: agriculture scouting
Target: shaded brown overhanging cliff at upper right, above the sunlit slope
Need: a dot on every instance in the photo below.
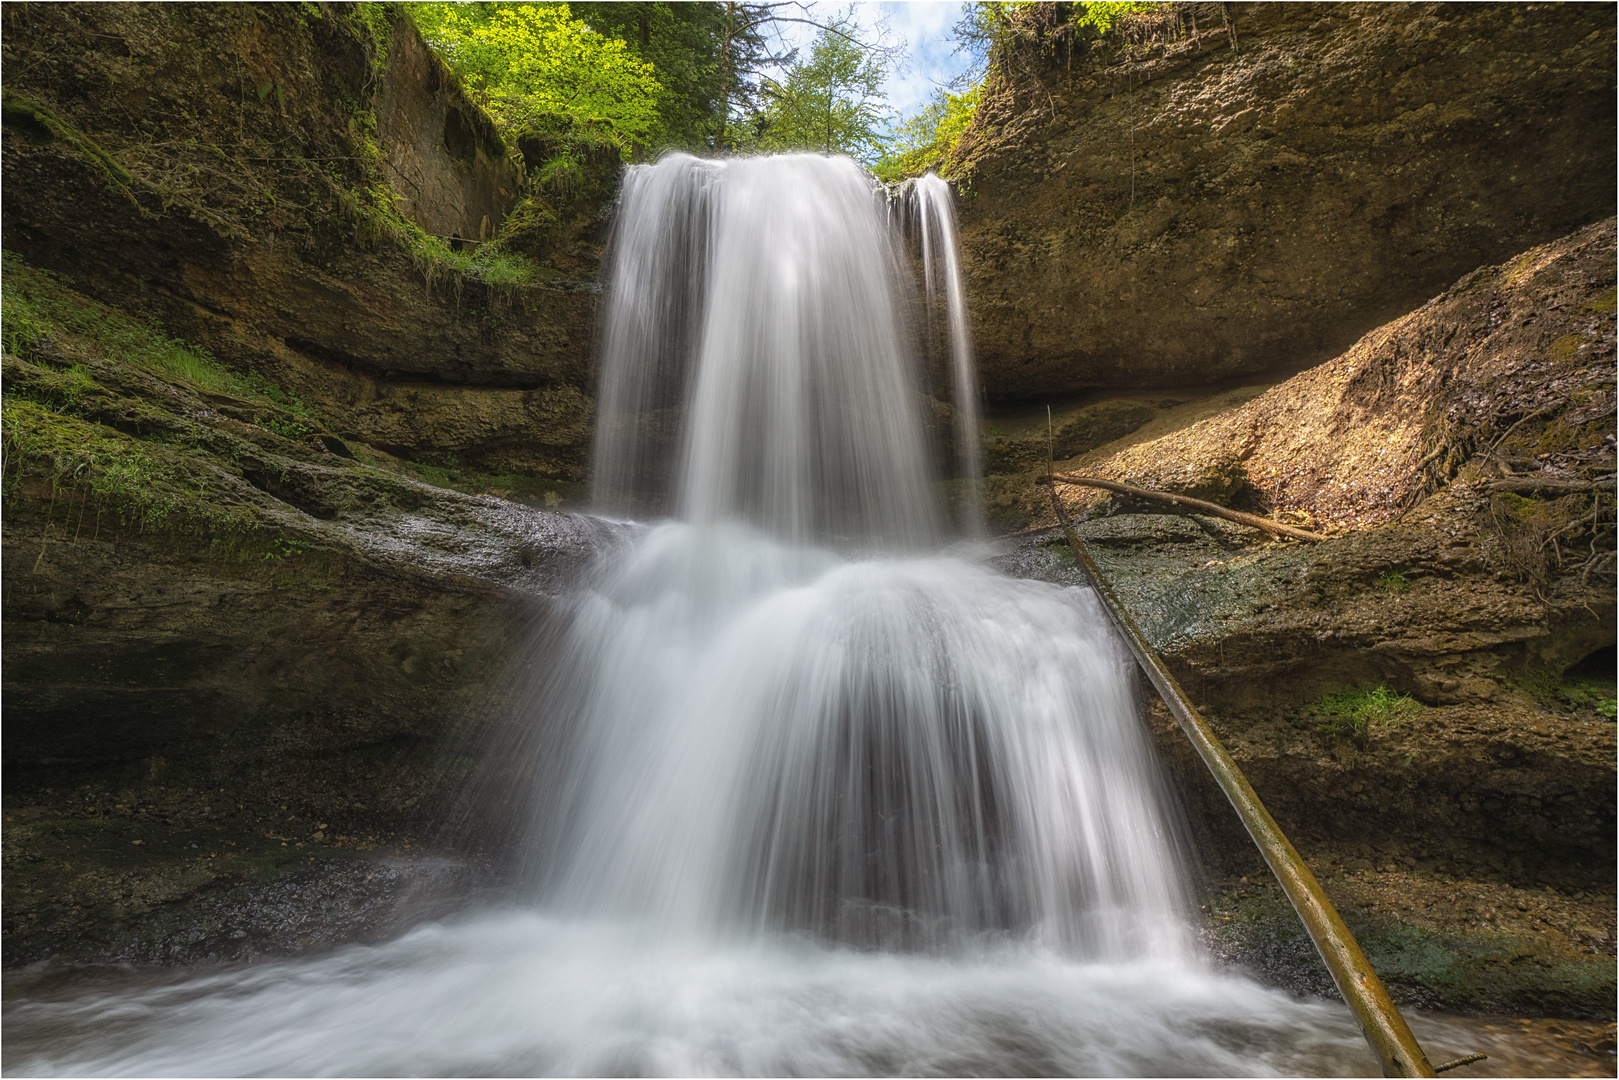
(1192, 213)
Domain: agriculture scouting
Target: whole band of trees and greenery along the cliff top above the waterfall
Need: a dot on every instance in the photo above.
(705, 77)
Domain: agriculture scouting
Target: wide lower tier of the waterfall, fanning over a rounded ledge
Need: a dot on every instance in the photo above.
(891, 752)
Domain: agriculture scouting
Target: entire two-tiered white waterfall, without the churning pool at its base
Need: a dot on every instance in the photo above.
(789, 708)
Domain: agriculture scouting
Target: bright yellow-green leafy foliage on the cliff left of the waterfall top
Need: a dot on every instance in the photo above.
(530, 64)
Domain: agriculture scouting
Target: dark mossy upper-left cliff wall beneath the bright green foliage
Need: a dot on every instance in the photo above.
(215, 166)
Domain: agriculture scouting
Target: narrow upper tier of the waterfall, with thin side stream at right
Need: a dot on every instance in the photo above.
(757, 360)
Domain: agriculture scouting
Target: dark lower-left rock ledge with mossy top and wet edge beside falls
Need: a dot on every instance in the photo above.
(244, 695)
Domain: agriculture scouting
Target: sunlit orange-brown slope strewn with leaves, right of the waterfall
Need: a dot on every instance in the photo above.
(1511, 368)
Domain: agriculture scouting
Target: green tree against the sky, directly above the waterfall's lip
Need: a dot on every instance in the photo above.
(830, 103)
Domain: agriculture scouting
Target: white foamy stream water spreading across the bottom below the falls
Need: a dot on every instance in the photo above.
(527, 995)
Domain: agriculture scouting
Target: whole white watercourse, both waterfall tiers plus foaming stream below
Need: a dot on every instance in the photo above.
(812, 789)
